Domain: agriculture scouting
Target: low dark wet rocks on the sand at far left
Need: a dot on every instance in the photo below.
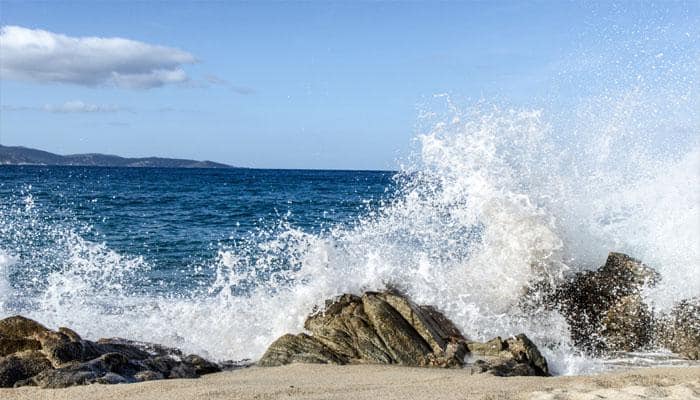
(31, 354)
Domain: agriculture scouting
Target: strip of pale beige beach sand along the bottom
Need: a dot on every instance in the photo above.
(358, 382)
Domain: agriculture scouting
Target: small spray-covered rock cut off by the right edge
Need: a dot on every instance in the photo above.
(679, 331)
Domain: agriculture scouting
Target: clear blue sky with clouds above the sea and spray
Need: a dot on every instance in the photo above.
(323, 85)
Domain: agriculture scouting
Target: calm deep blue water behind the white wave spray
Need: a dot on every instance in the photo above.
(176, 220)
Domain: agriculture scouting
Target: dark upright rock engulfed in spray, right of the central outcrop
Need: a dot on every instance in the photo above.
(592, 299)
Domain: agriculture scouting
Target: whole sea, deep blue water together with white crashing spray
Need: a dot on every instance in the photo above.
(221, 262)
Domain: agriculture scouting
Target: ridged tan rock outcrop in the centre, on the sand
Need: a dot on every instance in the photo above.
(387, 328)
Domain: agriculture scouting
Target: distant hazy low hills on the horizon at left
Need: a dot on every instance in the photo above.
(25, 156)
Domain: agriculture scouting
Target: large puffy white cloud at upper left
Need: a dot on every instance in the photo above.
(41, 56)
